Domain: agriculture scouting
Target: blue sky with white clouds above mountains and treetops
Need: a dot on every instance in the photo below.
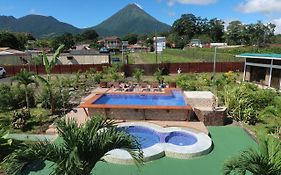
(88, 13)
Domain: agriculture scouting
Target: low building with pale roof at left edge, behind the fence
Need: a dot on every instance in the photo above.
(13, 57)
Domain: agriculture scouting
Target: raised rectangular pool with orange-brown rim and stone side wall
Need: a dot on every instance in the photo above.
(168, 105)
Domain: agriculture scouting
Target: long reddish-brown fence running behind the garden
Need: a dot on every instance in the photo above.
(149, 69)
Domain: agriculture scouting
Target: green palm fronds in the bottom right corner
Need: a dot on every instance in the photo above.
(266, 160)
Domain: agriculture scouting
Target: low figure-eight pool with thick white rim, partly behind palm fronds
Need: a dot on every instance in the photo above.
(157, 142)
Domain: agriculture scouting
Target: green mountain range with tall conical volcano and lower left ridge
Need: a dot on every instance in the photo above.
(130, 19)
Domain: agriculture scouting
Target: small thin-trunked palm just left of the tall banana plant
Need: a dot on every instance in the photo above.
(25, 78)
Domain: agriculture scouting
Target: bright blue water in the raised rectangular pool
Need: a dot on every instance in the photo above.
(174, 99)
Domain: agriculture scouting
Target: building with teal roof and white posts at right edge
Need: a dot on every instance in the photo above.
(262, 69)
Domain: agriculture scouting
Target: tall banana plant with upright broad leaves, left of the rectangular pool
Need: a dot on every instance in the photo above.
(48, 67)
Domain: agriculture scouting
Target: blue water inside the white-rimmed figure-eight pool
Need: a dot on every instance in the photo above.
(148, 137)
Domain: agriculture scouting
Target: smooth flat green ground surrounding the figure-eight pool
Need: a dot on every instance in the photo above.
(228, 141)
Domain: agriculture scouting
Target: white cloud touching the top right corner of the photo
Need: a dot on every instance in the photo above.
(264, 6)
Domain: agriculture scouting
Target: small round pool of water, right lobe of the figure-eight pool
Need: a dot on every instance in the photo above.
(180, 139)
